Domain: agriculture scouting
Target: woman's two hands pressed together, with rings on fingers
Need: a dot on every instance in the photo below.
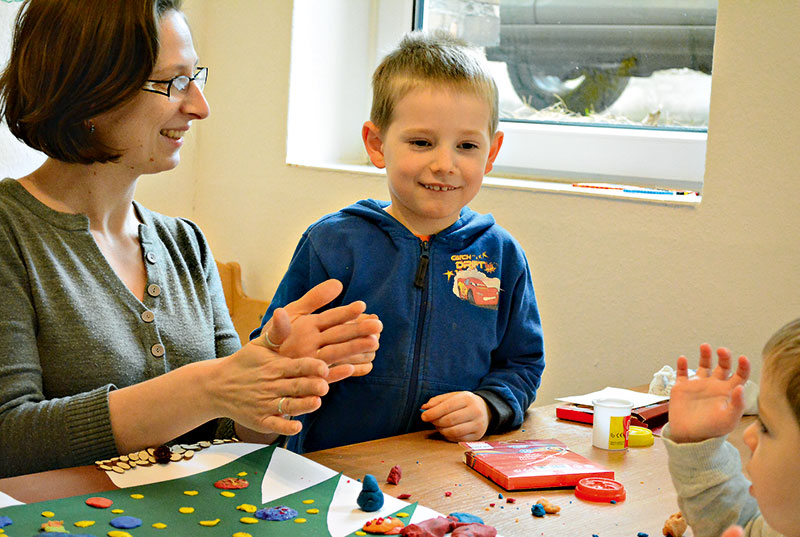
(285, 371)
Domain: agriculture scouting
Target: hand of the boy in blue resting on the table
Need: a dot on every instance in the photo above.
(458, 416)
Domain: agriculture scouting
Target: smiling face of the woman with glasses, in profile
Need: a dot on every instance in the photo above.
(149, 129)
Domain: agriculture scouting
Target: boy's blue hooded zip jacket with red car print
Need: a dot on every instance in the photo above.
(459, 313)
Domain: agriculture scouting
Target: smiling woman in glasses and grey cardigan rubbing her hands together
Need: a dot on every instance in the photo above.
(112, 313)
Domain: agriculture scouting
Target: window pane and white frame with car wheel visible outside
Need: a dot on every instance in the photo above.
(594, 90)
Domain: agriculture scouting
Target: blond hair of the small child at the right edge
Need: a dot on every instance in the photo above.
(782, 359)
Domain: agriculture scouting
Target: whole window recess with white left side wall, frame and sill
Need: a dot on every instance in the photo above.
(338, 43)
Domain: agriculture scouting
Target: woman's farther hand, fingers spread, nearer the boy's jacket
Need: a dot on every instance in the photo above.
(345, 337)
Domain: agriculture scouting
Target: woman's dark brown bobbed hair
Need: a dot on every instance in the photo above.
(71, 61)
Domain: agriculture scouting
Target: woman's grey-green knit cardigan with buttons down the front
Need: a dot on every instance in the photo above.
(71, 331)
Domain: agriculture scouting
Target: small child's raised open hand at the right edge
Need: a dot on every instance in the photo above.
(710, 405)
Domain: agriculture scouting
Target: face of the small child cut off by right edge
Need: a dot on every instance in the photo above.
(774, 467)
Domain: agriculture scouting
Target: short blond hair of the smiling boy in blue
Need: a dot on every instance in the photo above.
(430, 58)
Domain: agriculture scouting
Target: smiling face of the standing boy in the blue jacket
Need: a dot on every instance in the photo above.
(436, 151)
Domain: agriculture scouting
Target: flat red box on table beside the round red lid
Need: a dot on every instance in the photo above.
(531, 464)
